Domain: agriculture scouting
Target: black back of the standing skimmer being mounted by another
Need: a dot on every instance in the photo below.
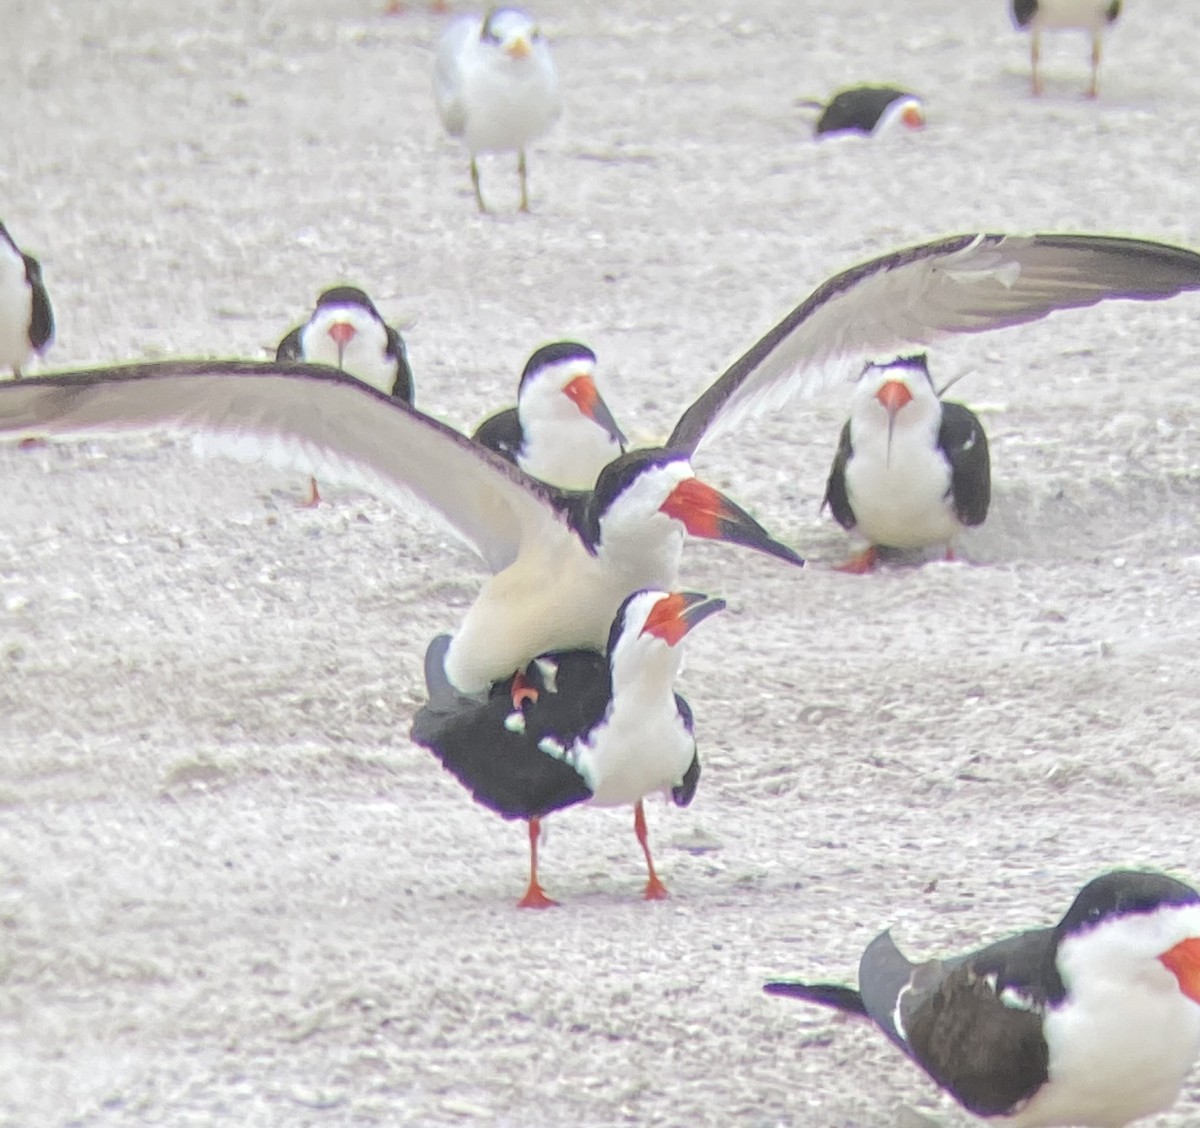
(506, 770)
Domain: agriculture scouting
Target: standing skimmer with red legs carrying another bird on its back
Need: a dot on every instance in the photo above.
(583, 728)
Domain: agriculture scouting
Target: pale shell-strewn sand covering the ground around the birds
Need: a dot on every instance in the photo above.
(231, 891)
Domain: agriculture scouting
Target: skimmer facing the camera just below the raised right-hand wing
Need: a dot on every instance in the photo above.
(911, 469)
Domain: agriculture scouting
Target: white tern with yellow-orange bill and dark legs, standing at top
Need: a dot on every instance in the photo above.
(496, 88)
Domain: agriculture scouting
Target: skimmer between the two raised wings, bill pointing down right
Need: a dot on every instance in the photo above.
(561, 431)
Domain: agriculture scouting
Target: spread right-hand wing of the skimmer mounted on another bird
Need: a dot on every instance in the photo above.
(962, 284)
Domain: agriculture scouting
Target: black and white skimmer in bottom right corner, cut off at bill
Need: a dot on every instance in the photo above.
(1094, 1023)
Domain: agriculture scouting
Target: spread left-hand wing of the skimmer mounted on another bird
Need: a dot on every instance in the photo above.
(310, 418)
